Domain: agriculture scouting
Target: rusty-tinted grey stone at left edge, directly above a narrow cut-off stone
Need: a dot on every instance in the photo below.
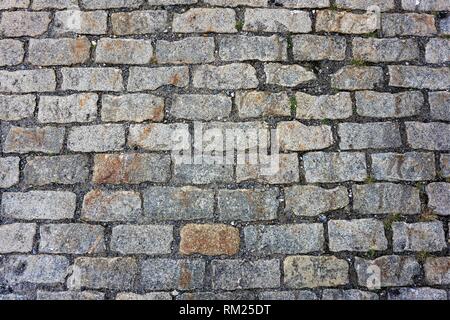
(34, 139)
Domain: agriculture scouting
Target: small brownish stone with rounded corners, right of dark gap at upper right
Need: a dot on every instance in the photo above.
(357, 78)
